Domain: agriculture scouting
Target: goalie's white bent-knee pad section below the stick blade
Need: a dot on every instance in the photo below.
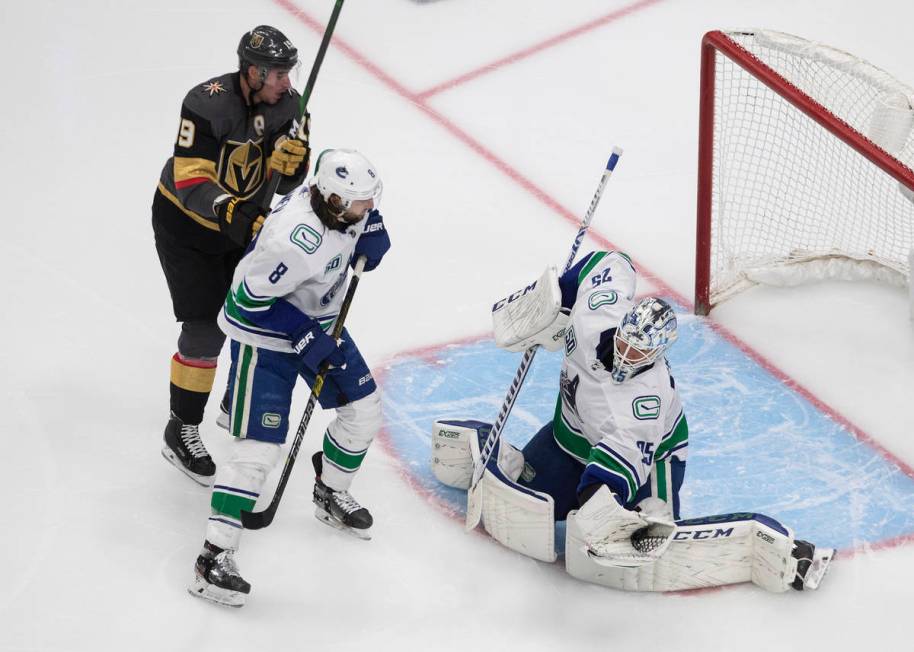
(518, 518)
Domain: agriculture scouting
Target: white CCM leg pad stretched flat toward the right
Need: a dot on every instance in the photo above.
(702, 552)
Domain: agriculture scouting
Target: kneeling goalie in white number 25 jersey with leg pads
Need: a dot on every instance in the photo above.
(612, 460)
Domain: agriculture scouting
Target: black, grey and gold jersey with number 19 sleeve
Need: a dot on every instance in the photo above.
(222, 147)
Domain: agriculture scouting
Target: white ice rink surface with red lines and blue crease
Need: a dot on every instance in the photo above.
(490, 123)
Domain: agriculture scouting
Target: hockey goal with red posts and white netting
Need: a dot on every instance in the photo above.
(805, 166)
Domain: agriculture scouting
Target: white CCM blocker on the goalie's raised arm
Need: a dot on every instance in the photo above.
(532, 316)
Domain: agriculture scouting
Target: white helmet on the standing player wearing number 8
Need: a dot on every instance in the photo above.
(347, 174)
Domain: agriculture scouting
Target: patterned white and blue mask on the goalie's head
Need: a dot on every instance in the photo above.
(644, 334)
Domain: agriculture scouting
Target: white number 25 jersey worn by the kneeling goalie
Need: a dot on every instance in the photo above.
(622, 432)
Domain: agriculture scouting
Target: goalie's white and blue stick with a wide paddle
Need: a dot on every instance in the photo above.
(474, 500)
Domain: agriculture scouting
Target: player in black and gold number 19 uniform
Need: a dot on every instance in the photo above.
(236, 130)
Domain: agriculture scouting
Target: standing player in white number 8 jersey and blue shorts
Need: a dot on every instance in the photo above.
(285, 296)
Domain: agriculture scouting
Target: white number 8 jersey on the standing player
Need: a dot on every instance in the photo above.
(294, 272)
